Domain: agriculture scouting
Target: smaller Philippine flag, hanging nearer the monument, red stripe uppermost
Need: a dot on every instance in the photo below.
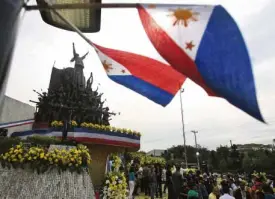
(153, 79)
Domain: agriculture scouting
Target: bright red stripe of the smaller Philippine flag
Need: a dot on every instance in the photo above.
(152, 71)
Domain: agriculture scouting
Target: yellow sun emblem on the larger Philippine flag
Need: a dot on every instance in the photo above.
(183, 16)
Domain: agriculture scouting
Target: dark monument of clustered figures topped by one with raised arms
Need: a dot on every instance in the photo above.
(70, 97)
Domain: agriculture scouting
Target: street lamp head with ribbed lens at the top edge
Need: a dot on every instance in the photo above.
(86, 20)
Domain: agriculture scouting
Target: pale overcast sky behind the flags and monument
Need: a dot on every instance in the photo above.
(218, 122)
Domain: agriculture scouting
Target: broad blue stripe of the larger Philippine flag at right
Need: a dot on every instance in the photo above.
(223, 61)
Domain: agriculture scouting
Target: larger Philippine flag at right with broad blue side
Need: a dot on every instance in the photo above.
(205, 44)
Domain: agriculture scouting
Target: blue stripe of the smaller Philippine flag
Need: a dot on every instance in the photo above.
(144, 88)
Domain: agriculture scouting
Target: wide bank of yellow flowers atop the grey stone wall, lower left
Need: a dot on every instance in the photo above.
(40, 159)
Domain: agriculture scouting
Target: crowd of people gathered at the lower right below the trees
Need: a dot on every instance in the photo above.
(180, 183)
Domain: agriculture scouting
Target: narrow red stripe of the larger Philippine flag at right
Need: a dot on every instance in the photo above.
(170, 51)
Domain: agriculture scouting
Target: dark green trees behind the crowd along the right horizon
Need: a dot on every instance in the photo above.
(227, 158)
